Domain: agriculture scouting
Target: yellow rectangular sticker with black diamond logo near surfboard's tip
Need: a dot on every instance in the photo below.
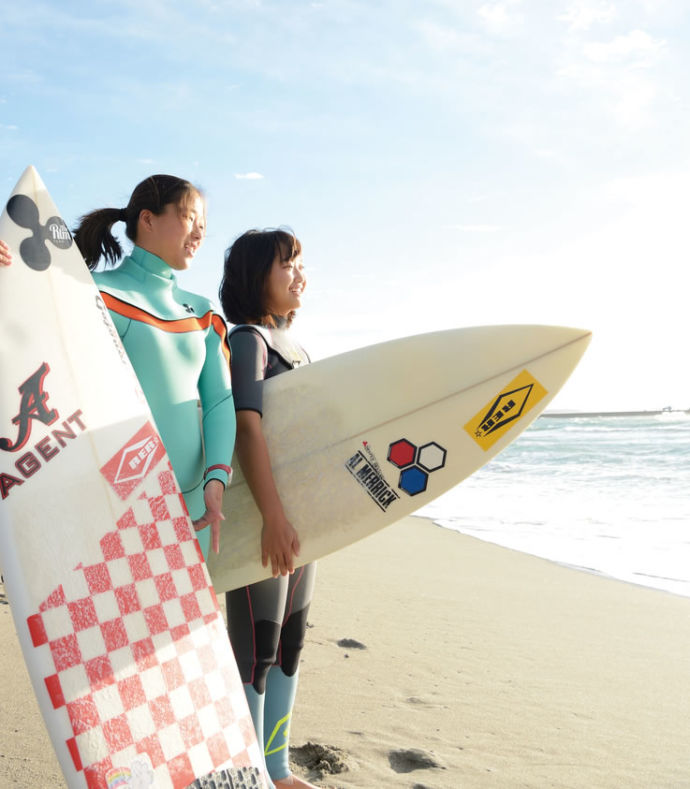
(506, 409)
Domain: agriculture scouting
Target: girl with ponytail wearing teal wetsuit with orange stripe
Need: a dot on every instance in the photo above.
(176, 342)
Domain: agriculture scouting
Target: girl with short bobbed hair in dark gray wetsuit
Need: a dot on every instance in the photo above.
(262, 286)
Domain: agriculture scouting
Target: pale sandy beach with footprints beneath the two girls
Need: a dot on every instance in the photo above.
(435, 660)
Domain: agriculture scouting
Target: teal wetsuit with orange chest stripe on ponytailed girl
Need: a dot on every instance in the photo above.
(178, 347)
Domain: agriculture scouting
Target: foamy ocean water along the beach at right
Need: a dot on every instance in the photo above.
(605, 494)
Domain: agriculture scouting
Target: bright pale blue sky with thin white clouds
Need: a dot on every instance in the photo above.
(445, 163)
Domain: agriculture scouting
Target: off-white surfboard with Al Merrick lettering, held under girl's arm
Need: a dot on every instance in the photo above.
(361, 439)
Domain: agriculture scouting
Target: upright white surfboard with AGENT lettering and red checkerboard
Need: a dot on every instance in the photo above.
(119, 626)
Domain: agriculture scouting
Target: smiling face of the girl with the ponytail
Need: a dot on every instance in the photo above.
(176, 234)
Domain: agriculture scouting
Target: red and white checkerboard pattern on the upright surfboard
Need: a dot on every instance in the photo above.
(144, 671)
